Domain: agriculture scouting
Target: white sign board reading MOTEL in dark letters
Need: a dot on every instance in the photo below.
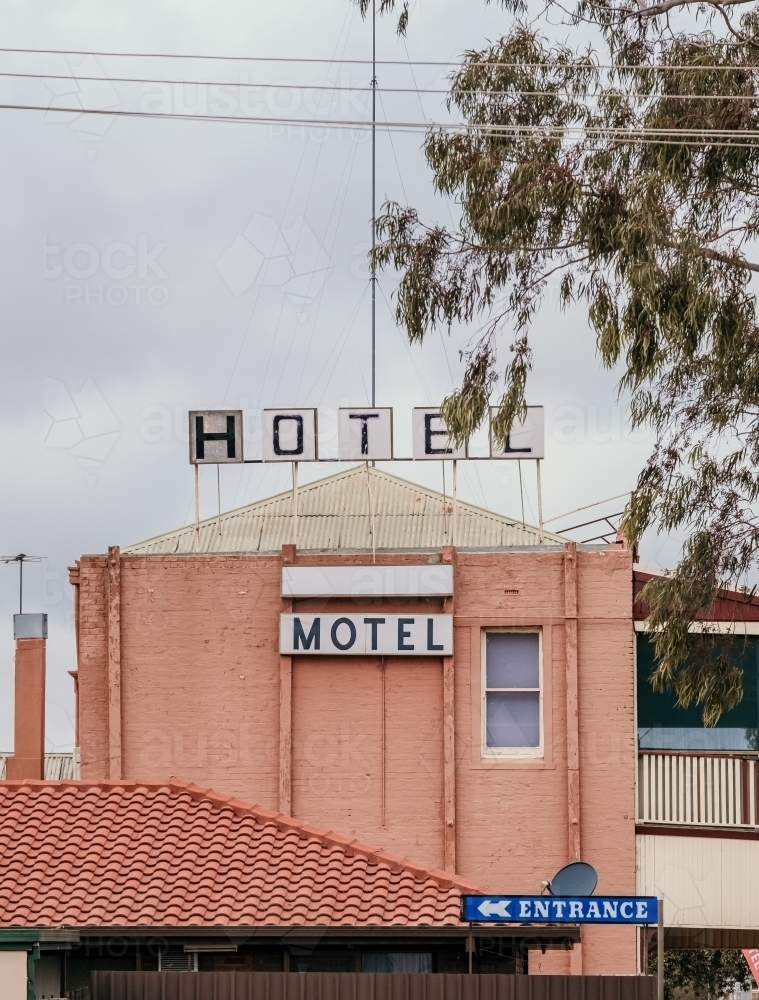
(366, 635)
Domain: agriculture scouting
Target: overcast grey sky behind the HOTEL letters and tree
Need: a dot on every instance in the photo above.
(155, 266)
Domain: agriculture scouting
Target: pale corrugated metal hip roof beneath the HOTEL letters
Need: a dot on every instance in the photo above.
(336, 513)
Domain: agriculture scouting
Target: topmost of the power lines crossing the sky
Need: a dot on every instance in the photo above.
(625, 67)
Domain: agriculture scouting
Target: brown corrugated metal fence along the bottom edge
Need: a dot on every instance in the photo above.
(363, 986)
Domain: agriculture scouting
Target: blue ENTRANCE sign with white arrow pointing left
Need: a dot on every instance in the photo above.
(560, 909)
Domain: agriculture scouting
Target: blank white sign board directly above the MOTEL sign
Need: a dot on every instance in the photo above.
(367, 581)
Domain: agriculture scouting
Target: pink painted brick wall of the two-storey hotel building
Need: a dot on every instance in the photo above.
(200, 700)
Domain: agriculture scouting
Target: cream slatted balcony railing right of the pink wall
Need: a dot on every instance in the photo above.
(696, 789)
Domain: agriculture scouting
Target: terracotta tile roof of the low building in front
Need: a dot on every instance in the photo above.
(130, 853)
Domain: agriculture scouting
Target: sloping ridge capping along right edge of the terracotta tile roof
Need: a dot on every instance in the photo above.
(307, 830)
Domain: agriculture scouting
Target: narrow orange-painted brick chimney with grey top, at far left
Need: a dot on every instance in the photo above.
(28, 760)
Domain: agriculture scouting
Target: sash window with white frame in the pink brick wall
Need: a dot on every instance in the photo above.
(512, 708)
